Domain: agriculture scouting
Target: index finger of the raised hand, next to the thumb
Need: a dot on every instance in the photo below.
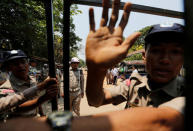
(125, 17)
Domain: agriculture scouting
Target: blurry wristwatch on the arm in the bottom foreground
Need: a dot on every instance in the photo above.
(60, 120)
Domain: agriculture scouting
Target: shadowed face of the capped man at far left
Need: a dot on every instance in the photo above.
(19, 68)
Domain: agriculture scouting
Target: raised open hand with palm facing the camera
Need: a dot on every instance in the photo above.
(105, 47)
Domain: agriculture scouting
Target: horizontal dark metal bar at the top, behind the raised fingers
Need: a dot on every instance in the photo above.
(135, 8)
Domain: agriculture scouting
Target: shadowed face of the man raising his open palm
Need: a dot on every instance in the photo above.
(164, 61)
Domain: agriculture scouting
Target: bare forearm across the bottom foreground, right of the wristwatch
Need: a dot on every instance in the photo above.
(135, 119)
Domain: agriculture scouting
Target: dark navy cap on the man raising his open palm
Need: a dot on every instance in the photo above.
(171, 32)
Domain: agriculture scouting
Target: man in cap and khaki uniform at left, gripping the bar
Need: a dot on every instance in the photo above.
(20, 95)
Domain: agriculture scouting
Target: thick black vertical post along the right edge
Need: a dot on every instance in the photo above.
(188, 4)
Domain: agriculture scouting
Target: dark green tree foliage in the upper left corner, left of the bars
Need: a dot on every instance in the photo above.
(22, 24)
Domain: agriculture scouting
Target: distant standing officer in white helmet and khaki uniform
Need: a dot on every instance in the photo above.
(76, 86)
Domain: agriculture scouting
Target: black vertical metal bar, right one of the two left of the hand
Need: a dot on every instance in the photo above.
(66, 48)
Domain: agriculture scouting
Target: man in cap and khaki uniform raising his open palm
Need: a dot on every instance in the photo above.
(163, 57)
